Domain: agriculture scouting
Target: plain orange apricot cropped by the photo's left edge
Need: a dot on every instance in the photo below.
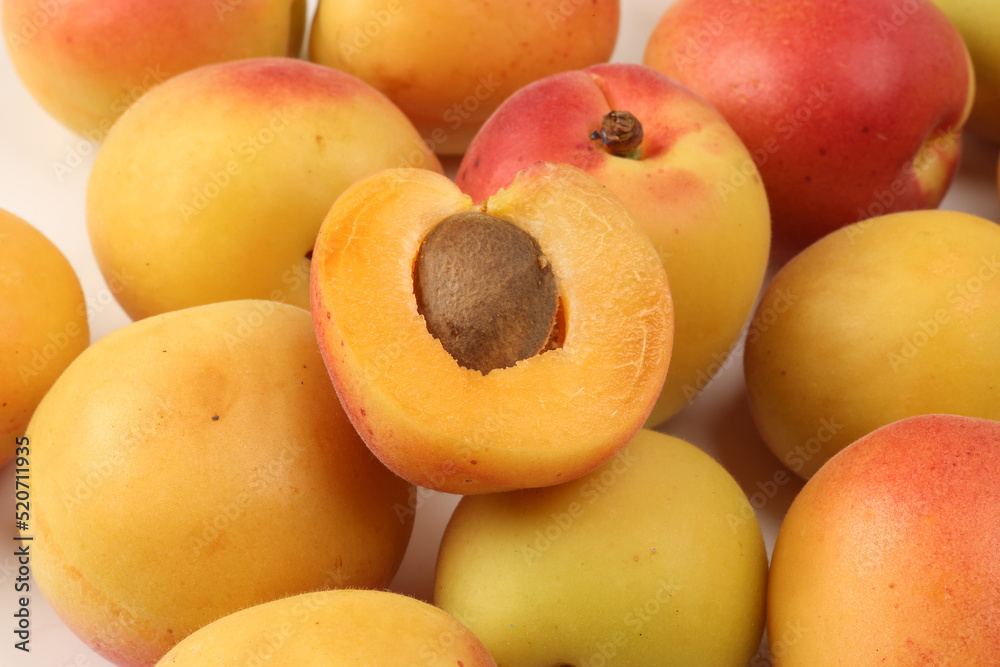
(44, 323)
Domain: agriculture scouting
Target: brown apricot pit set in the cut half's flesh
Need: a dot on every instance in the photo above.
(486, 291)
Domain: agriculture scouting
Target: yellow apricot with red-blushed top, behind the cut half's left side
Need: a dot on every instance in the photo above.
(214, 185)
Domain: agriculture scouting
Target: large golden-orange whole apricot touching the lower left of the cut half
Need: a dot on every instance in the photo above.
(193, 464)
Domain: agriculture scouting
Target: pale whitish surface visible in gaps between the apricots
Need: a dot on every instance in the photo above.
(31, 142)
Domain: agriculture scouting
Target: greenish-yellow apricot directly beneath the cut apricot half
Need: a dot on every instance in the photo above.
(655, 558)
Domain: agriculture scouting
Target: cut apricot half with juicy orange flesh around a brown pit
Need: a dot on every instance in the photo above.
(535, 419)
